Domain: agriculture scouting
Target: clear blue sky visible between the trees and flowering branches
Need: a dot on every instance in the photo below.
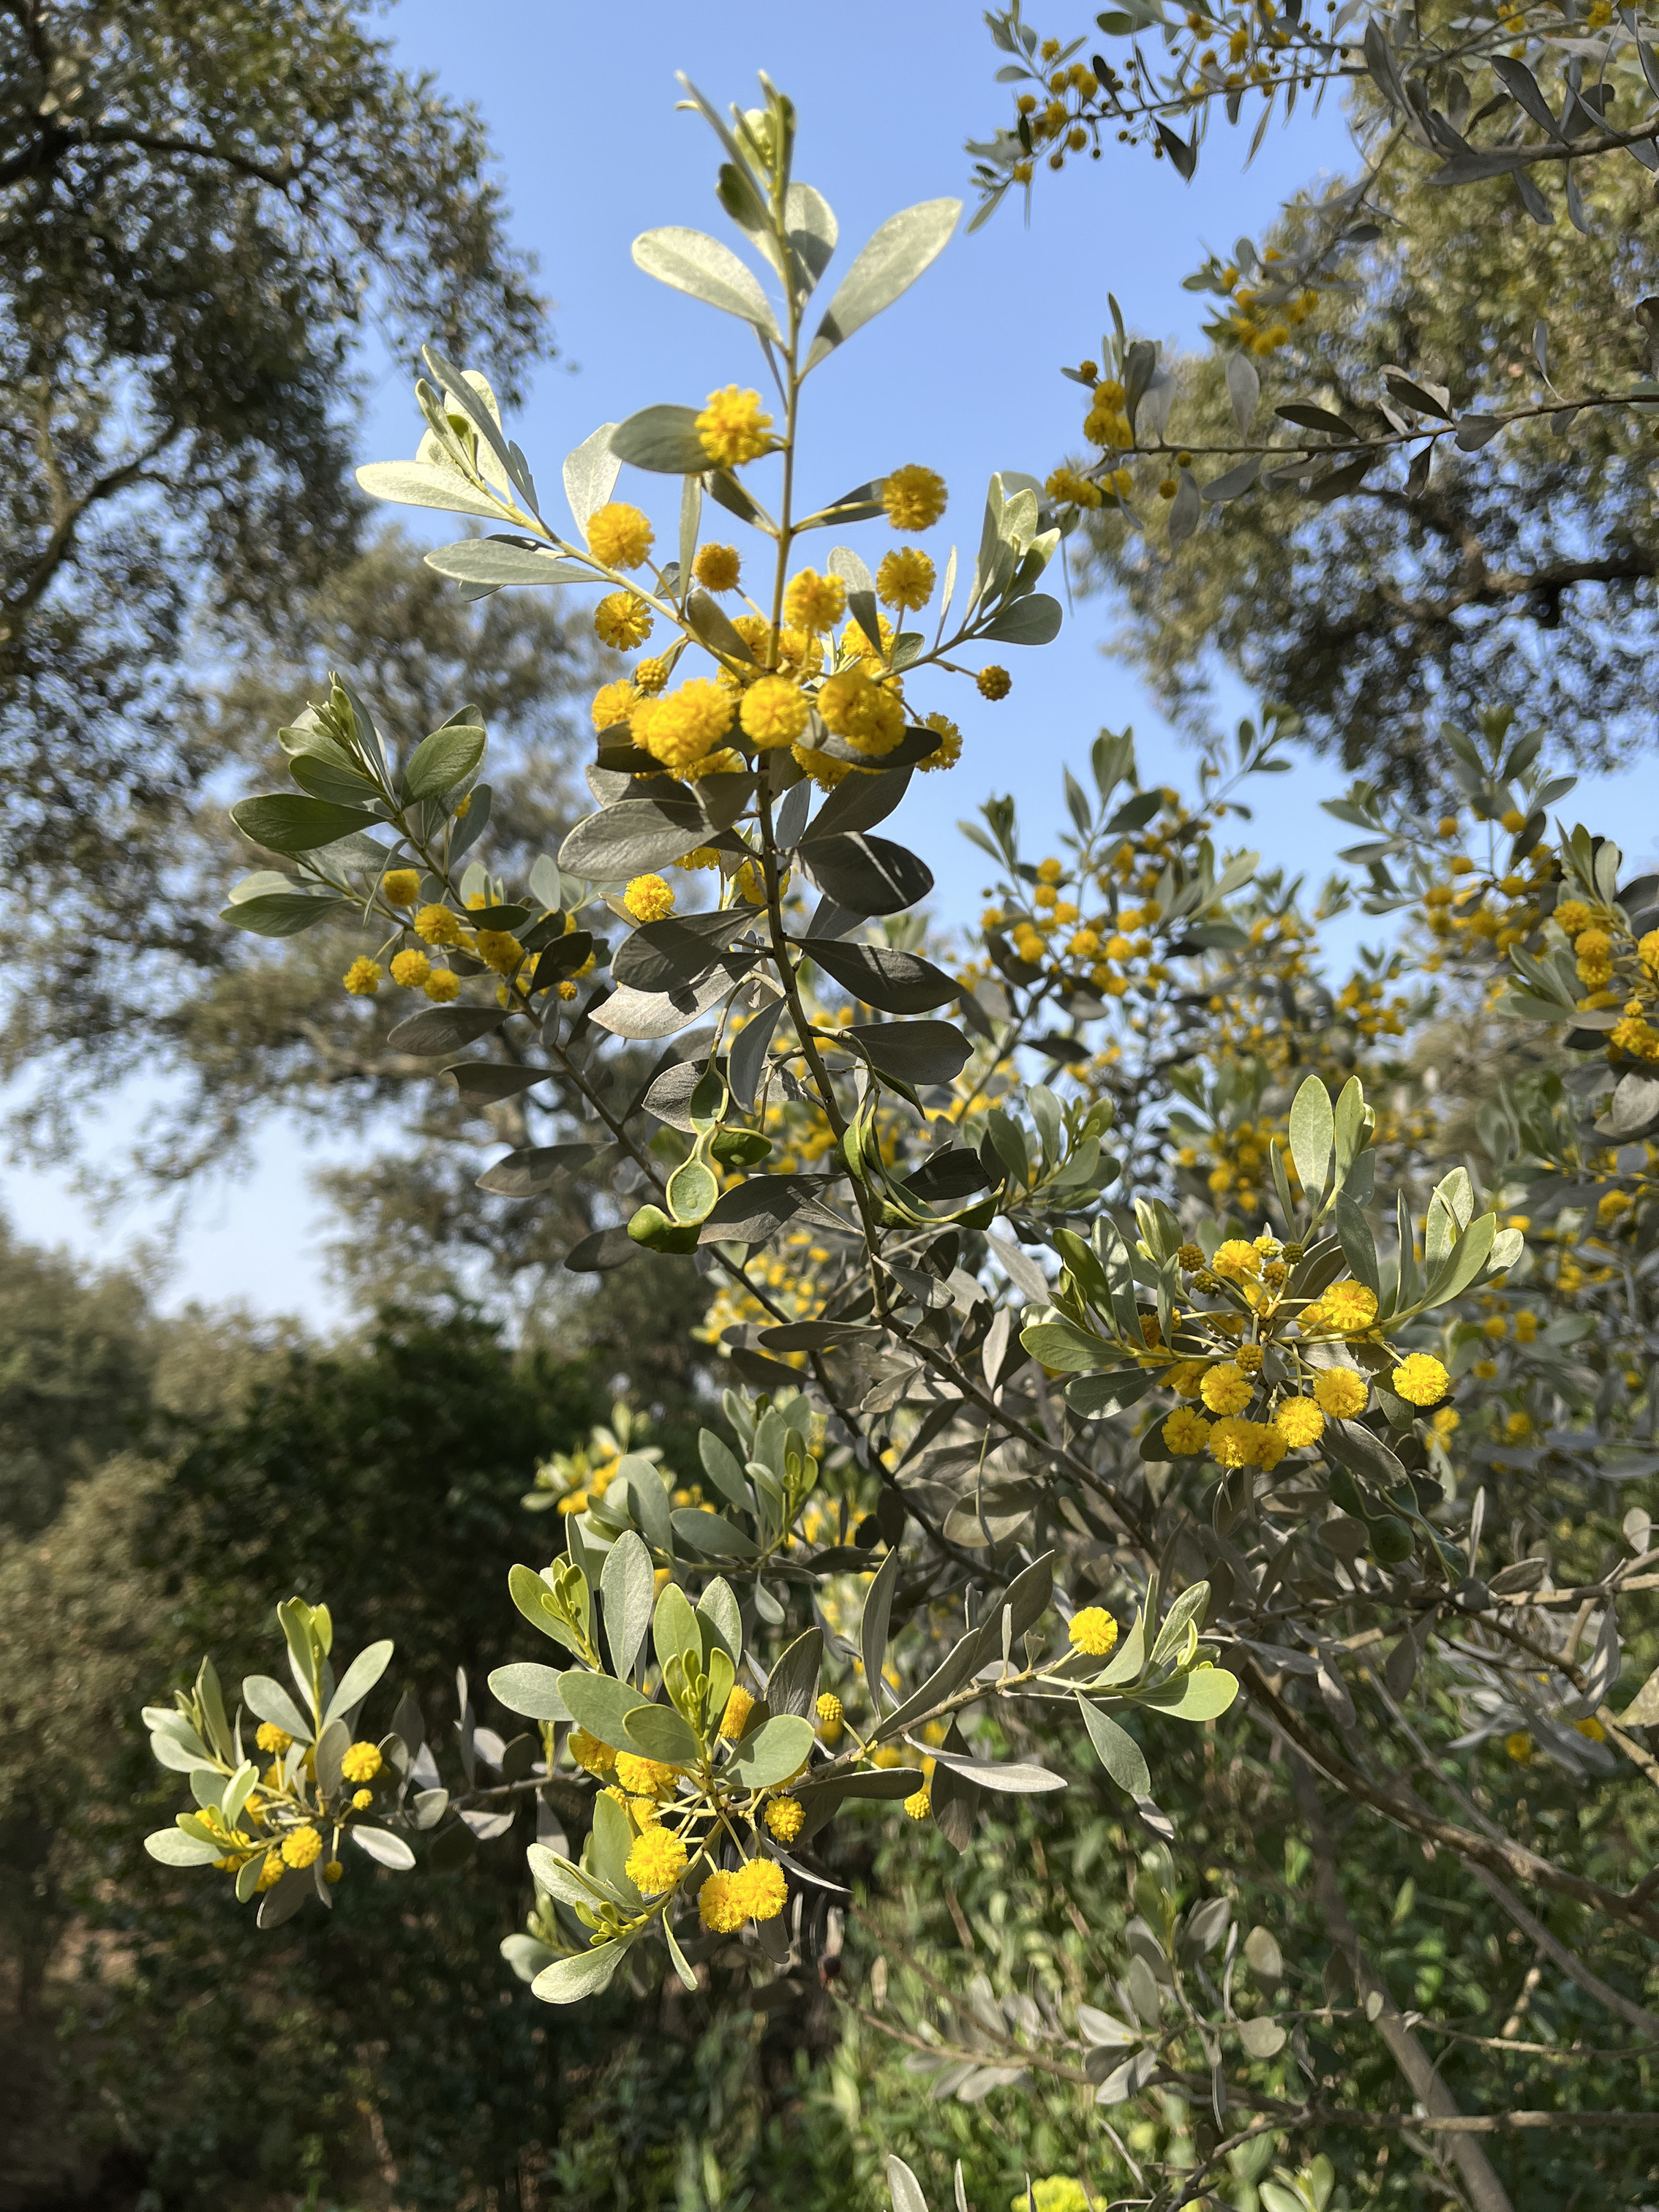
(961, 375)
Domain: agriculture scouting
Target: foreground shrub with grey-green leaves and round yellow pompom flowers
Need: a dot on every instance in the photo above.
(1125, 1335)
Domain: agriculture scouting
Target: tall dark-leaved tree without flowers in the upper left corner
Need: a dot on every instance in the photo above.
(202, 211)
